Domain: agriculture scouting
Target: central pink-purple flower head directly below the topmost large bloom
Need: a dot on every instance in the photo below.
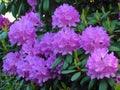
(65, 41)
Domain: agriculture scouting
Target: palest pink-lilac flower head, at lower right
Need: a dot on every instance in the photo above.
(101, 64)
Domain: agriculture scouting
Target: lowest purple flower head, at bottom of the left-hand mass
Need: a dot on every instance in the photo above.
(33, 68)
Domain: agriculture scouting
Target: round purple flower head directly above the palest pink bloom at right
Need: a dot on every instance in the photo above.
(93, 38)
